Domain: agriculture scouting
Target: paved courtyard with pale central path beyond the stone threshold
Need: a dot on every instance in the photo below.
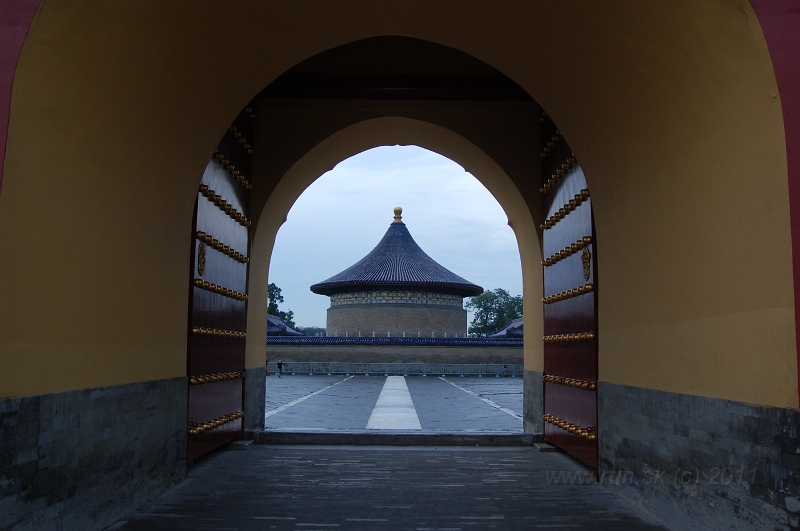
(348, 402)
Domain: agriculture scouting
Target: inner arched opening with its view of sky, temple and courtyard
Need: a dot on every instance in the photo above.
(414, 336)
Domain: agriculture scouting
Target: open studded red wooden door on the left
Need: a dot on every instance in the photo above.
(218, 302)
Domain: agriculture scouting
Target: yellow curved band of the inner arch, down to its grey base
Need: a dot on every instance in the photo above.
(387, 131)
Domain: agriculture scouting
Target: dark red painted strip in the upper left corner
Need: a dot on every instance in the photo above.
(15, 19)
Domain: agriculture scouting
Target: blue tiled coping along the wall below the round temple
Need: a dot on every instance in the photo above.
(410, 341)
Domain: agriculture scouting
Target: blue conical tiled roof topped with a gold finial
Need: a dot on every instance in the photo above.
(397, 263)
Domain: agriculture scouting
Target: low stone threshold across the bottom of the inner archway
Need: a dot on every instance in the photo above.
(392, 438)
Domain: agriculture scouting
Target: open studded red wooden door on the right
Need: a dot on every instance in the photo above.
(570, 301)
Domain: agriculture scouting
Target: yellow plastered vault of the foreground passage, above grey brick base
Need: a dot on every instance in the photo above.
(671, 108)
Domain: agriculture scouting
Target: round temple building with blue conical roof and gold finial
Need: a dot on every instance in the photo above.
(397, 290)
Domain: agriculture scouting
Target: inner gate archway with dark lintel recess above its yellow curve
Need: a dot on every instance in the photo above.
(493, 128)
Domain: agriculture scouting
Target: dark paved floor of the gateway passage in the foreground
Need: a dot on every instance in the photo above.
(344, 488)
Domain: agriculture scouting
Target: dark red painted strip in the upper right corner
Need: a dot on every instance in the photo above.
(780, 22)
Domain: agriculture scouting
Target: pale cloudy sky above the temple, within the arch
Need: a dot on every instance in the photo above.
(344, 214)
